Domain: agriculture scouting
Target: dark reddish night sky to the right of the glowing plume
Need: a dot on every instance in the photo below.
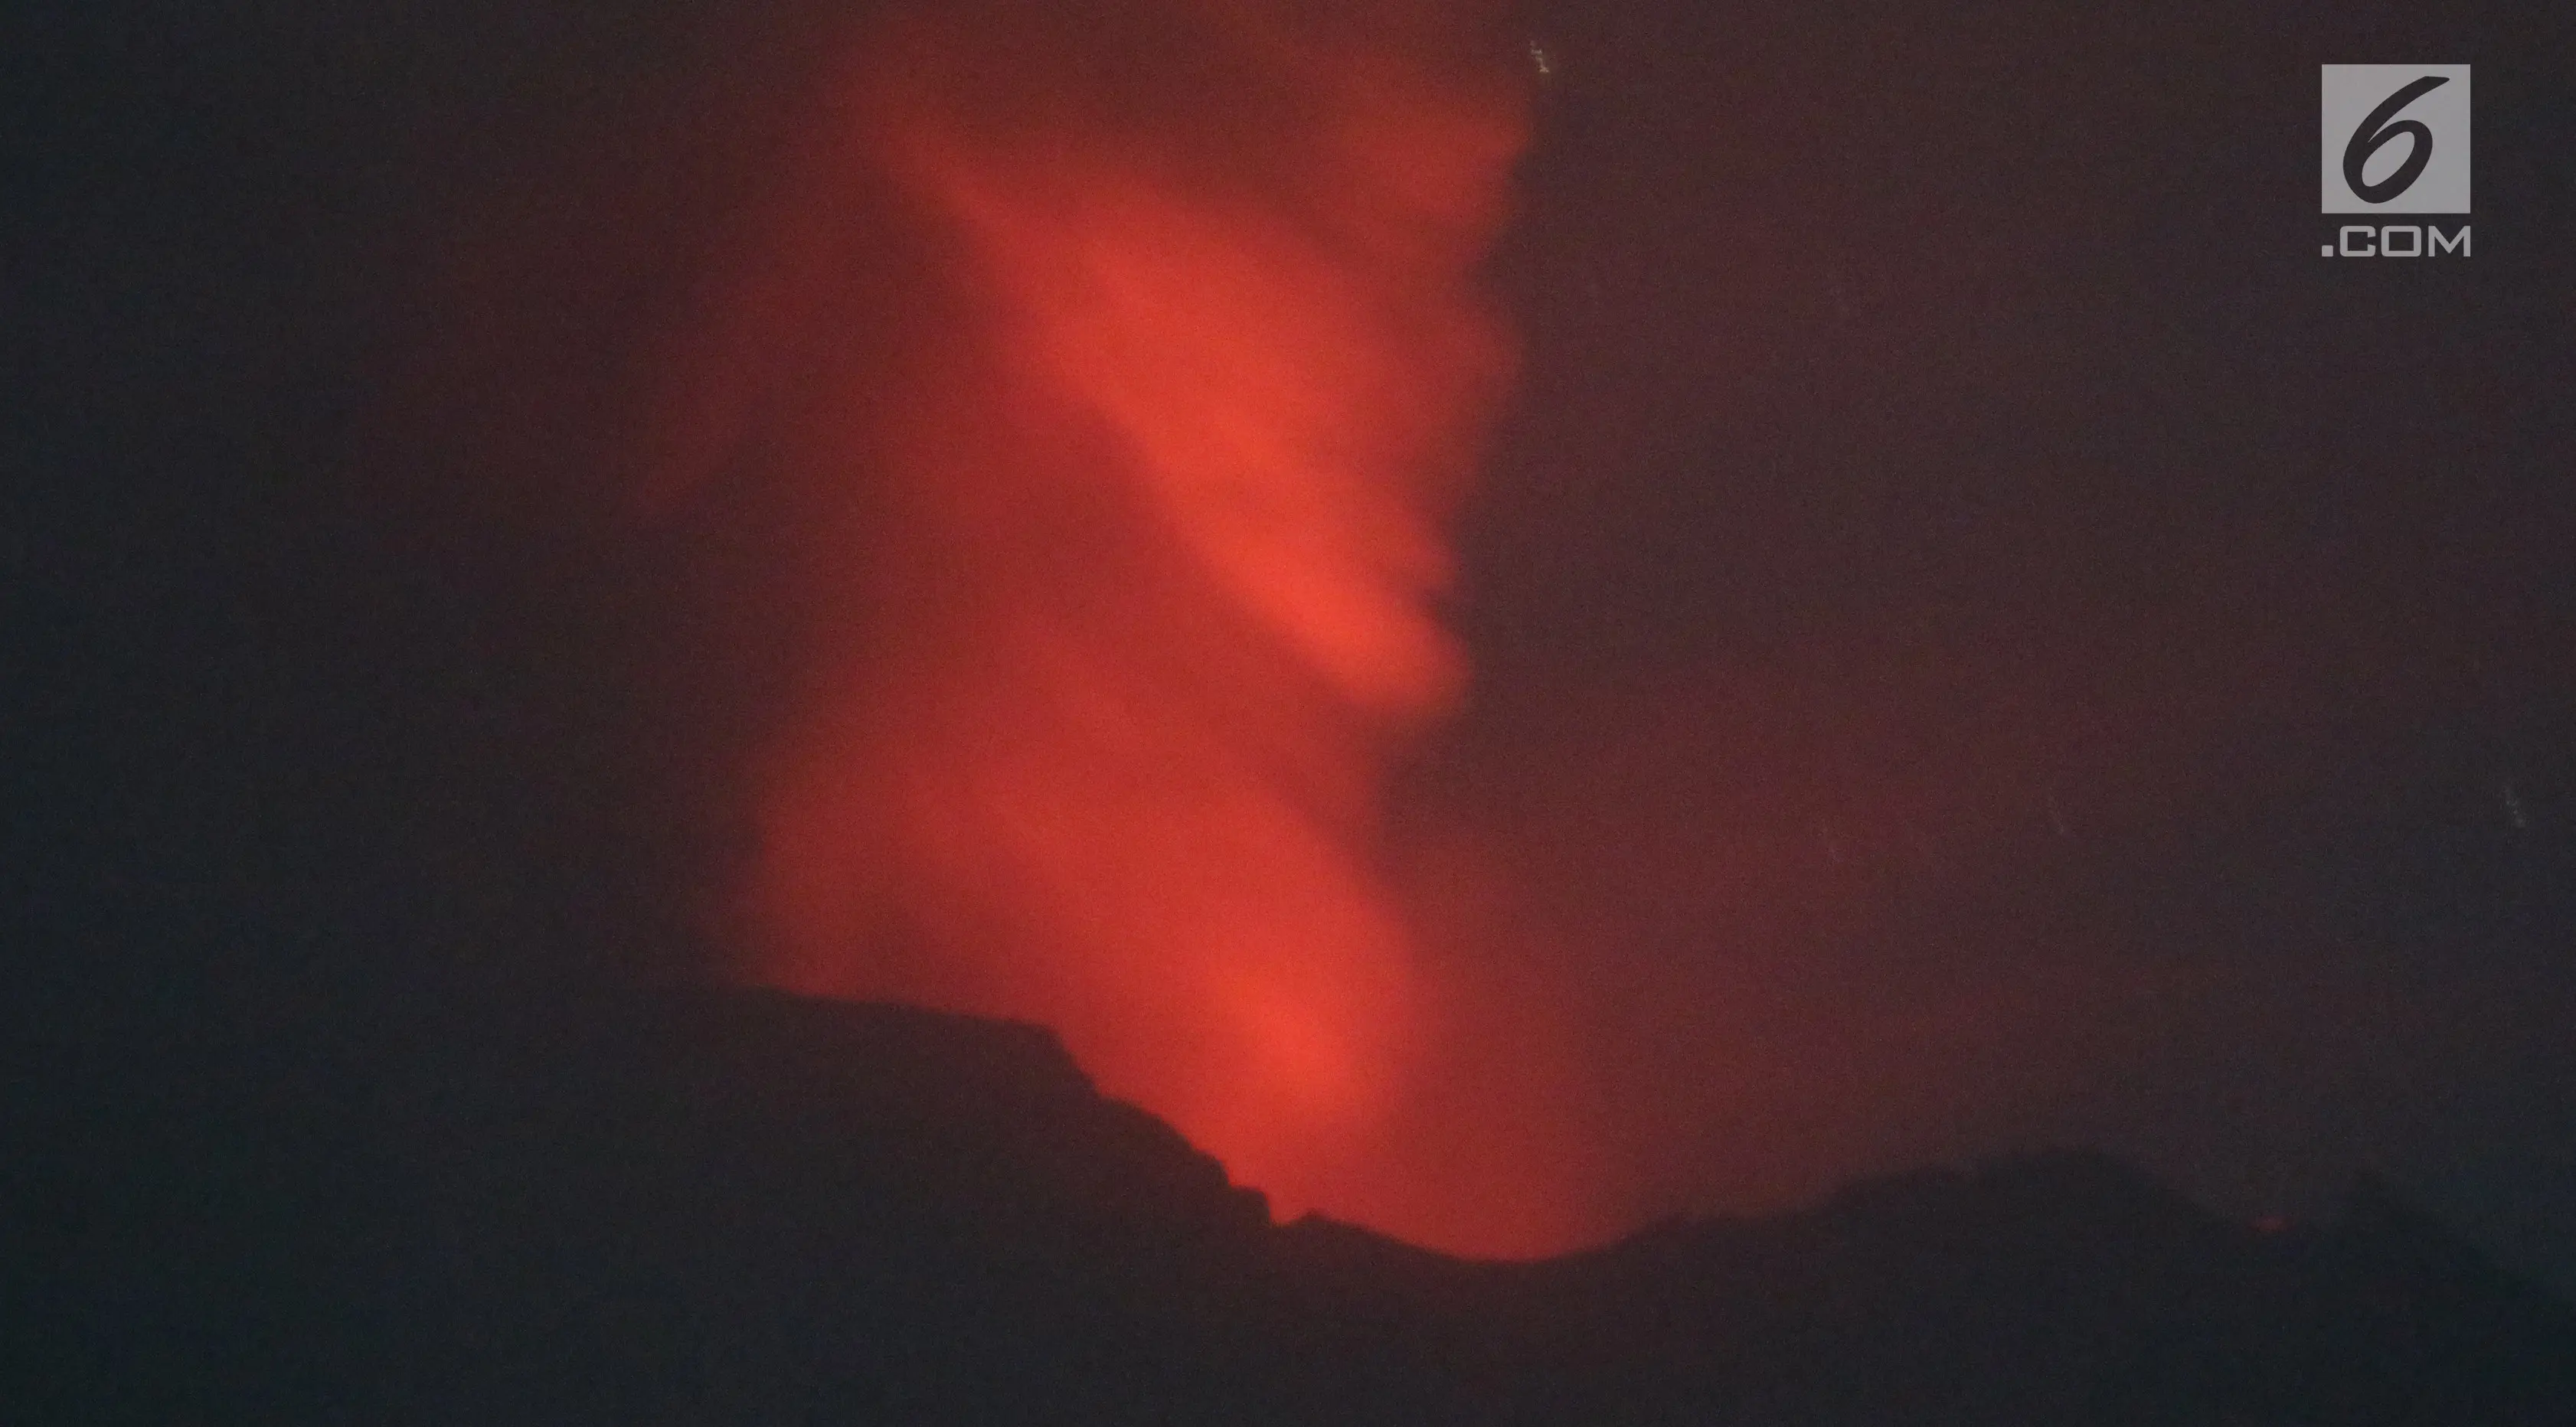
(1985, 635)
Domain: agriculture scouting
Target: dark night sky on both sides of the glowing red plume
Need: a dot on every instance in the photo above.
(1982, 632)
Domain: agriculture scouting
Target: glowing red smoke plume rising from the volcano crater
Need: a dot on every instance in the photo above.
(1127, 364)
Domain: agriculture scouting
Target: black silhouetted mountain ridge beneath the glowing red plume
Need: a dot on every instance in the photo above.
(735, 1207)
